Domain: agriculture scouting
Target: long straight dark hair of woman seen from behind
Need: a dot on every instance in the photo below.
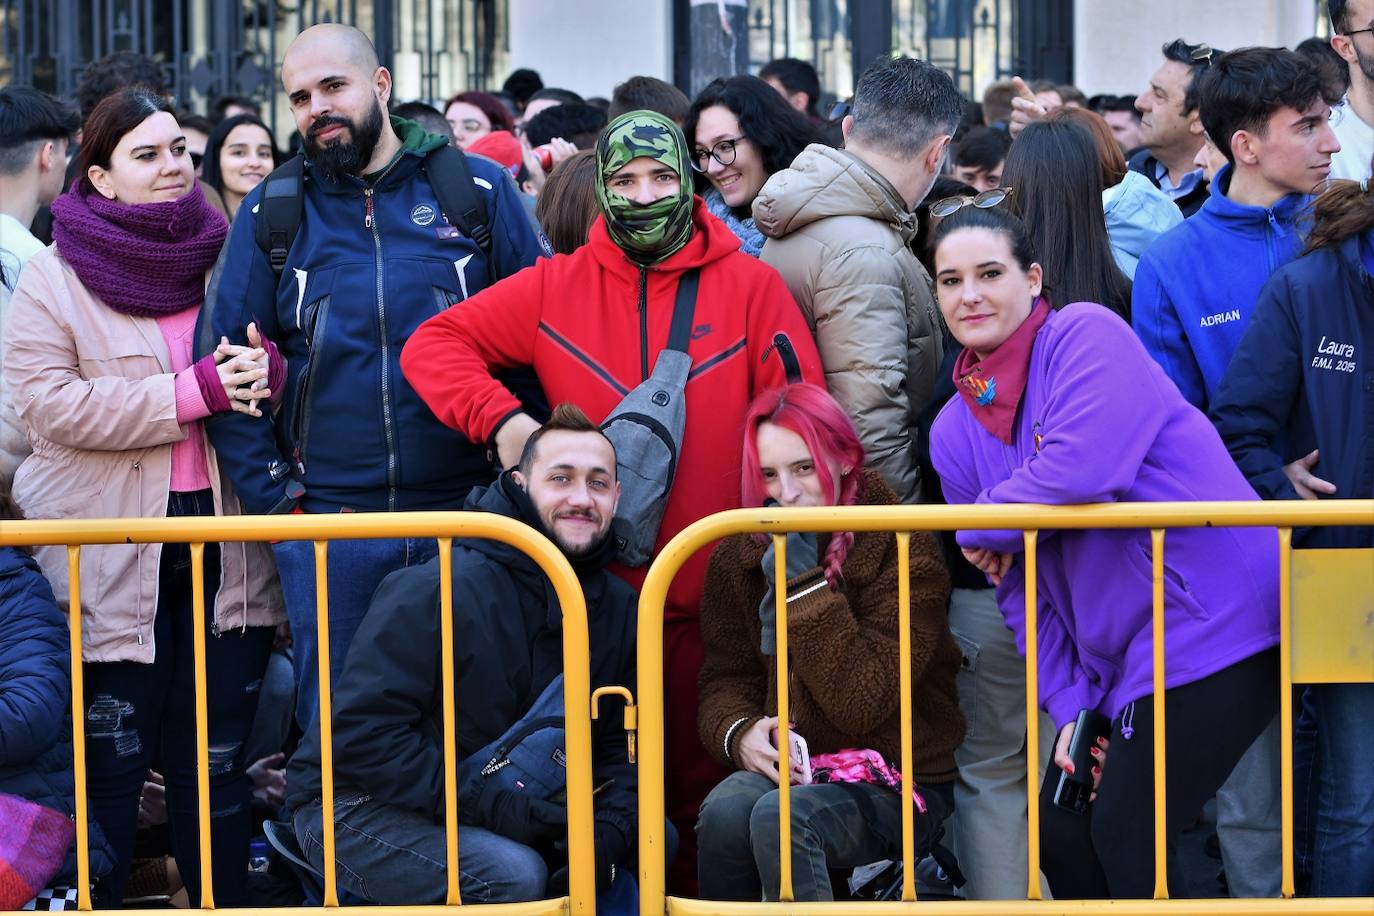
(1056, 178)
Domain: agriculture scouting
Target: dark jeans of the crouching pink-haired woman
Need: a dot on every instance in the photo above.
(833, 826)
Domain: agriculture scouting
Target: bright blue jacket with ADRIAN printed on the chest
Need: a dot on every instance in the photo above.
(1196, 288)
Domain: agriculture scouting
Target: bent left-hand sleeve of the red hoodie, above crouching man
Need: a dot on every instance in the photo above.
(451, 359)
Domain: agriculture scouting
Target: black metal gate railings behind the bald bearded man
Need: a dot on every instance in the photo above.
(234, 47)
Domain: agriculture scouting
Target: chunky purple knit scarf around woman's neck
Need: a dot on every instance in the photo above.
(139, 259)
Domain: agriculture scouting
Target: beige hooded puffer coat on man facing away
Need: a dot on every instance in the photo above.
(837, 233)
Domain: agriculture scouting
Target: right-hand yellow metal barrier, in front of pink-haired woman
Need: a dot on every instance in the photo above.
(1338, 648)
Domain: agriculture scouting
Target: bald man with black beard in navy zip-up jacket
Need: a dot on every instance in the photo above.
(374, 256)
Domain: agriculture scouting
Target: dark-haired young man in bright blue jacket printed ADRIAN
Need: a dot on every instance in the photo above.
(1197, 285)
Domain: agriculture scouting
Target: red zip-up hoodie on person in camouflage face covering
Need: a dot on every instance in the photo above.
(593, 323)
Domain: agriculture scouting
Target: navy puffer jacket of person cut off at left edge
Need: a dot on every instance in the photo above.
(36, 702)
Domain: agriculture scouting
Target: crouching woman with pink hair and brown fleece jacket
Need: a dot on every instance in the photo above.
(803, 451)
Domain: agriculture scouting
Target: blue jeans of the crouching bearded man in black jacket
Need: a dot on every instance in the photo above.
(391, 856)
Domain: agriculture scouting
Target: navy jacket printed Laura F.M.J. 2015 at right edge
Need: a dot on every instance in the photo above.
(1303, 376)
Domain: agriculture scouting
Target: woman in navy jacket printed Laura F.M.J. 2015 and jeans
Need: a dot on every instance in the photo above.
(1300, 377)
